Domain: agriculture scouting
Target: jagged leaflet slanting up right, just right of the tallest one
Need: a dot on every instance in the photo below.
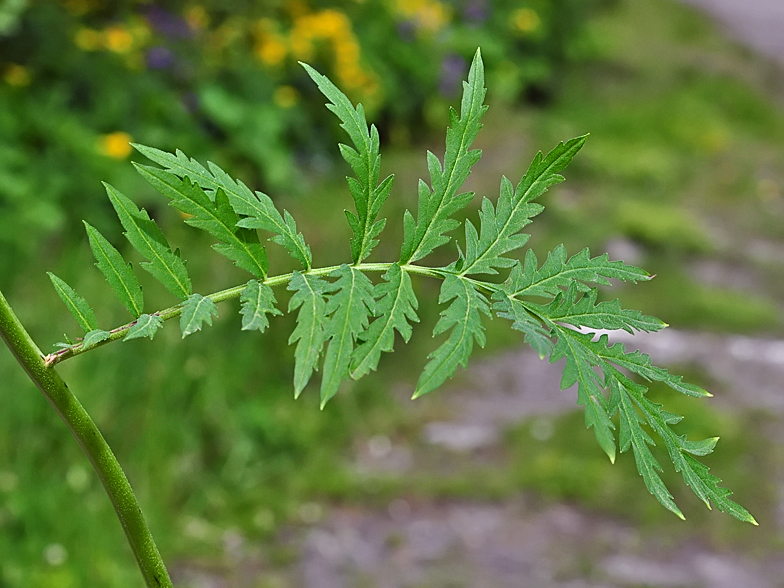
(500, 227)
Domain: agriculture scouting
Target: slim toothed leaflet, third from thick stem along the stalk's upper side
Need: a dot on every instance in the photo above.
(147, 238)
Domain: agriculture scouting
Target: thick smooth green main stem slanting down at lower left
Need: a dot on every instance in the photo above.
(92, 443)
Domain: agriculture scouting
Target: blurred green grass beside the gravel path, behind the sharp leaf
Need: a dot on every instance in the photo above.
(686, 136)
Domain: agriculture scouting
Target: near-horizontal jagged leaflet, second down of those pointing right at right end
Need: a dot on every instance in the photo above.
(572, 308)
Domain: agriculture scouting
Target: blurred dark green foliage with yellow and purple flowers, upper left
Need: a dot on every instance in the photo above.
(79, 79)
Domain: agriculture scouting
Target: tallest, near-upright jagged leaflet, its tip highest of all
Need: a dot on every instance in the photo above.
(440, 201)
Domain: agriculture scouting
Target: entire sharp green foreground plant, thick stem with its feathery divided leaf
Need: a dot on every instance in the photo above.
(337, 313)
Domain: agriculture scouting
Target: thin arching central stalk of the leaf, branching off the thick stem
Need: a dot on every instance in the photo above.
(174, 311)
